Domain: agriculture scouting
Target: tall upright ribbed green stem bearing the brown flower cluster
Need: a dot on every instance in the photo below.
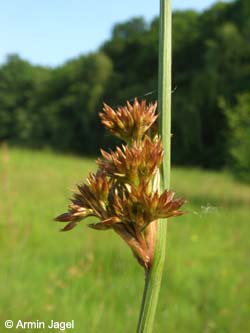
(154, 275)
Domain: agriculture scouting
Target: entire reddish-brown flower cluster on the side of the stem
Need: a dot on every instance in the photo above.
(121, 194)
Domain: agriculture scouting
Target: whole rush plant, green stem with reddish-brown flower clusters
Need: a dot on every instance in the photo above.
(127, 193)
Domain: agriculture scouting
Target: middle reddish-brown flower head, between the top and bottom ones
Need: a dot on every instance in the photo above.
(130, 164)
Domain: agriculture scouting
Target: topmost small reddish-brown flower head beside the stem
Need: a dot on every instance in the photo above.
(129, 122)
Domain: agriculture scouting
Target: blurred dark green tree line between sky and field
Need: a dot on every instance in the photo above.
(58, 107)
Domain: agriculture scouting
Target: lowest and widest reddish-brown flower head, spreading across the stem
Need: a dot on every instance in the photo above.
(124, 204)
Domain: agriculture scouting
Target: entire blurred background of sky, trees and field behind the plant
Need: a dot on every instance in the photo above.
(58, 63)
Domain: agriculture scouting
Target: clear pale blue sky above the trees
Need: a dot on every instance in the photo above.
(49, 32)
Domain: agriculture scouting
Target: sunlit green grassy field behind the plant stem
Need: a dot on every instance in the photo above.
(91, 276)
